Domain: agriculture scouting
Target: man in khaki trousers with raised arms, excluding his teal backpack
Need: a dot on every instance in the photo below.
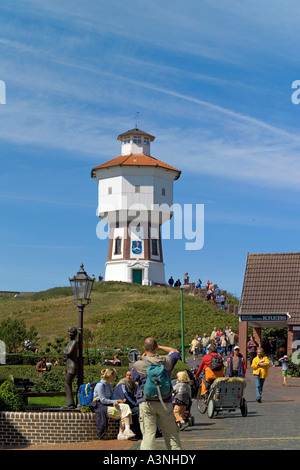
(151, 411)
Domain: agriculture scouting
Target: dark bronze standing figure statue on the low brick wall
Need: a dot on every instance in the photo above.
(70, 352)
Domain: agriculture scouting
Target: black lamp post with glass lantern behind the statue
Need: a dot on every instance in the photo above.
(82, 286)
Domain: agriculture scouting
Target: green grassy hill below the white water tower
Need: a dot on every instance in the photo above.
(119, 314)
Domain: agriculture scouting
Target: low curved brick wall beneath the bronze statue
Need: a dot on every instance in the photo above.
(32, 427)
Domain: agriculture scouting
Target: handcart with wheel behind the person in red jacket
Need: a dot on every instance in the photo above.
(225, 394)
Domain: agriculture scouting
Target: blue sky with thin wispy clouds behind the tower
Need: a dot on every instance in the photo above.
(211, 80)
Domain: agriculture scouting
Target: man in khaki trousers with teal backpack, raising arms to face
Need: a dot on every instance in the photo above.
(153, 375)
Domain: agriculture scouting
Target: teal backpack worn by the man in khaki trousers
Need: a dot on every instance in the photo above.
(158, 385)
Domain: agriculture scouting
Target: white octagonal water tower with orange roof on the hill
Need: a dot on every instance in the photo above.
(135, 194)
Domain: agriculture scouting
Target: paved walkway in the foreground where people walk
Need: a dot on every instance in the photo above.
(273, 424)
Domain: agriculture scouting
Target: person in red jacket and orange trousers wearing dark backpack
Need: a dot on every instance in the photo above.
(212, 366)
